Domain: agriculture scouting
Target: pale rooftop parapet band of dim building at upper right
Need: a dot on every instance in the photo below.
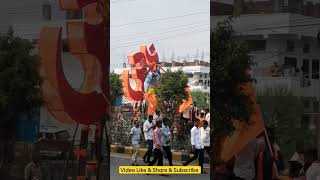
(273, 24)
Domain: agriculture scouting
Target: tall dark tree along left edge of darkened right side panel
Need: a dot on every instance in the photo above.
(229, 65)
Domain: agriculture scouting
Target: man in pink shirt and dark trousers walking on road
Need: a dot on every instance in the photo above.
(157, 146)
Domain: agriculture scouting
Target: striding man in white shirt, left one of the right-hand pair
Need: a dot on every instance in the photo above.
(197, 146)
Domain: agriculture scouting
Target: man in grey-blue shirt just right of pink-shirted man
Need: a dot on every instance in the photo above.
(165, 139)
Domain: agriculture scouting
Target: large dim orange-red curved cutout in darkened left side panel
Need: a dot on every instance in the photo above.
(87, 40)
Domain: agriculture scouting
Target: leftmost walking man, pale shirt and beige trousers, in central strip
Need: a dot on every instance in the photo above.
(135, 140)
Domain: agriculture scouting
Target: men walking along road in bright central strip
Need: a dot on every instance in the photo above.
(158, 137)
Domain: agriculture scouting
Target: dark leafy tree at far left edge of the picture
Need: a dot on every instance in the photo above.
(20, 85)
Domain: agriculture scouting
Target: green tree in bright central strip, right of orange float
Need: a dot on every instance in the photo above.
(170, 92)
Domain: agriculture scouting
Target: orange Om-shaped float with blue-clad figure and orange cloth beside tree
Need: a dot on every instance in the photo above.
(146, 72)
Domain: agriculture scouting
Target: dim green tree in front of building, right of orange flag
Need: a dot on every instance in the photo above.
(282, 113)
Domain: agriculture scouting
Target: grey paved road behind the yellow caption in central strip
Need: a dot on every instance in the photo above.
(117, 160)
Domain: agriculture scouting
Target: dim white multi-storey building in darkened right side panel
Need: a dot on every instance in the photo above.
(290, 40)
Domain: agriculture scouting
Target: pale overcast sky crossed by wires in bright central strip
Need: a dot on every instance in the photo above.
(179, 26)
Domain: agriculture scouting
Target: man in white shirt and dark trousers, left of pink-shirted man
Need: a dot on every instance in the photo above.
(148, 127)
